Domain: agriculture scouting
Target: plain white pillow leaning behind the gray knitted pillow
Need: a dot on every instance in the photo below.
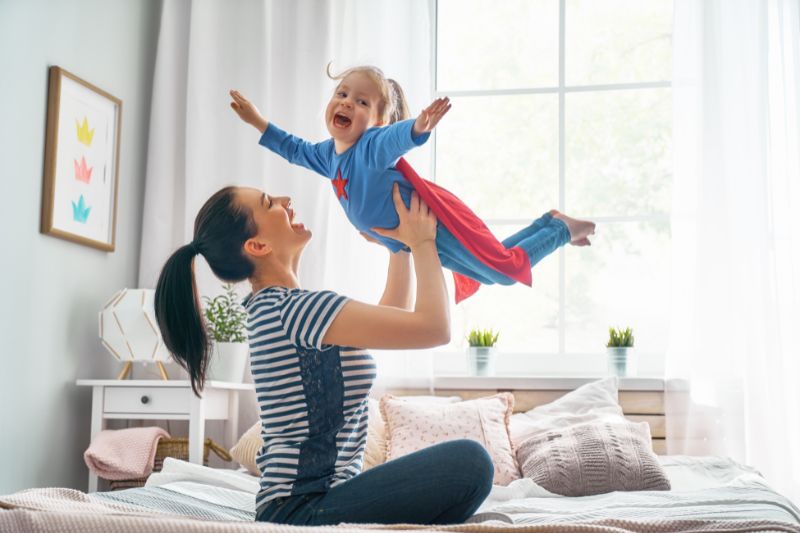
(593, 402)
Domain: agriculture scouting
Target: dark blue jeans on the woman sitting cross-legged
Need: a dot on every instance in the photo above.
(442, 484)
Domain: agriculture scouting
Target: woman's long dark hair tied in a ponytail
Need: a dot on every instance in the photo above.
(220, 230)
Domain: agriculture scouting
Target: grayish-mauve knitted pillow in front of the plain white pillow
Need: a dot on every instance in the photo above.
(593, 458)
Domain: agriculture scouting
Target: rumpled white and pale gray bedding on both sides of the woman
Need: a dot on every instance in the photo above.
(704, 488)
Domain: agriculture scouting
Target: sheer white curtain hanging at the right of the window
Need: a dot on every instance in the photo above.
(736, 236)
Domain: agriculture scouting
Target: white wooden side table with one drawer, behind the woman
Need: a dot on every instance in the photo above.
(166, 400)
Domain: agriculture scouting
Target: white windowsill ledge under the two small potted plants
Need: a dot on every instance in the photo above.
(541, 382)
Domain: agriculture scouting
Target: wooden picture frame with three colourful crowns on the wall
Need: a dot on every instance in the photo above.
(81, 163)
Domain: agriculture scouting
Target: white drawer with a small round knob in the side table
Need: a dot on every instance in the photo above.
(146, 400)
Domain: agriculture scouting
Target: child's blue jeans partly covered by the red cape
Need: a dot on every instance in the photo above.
(543, 237)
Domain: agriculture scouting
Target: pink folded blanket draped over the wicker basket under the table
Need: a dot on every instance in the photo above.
(123, 453)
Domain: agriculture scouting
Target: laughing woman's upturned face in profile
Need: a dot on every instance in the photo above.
(277, 230)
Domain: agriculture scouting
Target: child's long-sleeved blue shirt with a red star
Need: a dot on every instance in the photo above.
(362, 176)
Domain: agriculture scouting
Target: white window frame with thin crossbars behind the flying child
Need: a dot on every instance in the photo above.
(561, 362)
